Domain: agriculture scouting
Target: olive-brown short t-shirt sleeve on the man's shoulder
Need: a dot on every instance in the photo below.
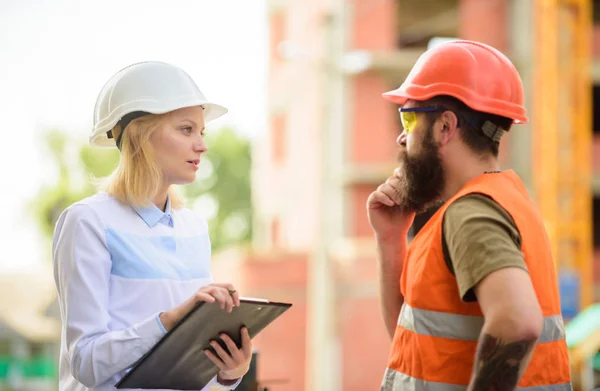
(480, 237)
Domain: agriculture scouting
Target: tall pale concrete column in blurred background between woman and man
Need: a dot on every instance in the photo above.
(323, 345)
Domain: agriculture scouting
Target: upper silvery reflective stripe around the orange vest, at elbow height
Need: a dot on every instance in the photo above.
(465, 327)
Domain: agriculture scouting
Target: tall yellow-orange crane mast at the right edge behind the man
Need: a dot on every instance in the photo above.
(562, 170)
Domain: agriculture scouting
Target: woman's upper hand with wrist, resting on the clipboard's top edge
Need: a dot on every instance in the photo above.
(208, 293)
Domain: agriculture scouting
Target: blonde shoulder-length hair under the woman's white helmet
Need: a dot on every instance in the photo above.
(138, 177)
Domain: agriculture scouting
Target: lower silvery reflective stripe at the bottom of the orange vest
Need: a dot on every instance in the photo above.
(397, 381)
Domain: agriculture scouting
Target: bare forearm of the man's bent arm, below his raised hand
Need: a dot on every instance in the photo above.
(389, 268)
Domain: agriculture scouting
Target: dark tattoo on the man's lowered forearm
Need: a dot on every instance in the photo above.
(498, 364)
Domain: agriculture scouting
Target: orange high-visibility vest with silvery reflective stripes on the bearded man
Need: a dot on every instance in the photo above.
(435, 342)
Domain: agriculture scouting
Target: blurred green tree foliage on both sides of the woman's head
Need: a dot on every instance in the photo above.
(221, 191)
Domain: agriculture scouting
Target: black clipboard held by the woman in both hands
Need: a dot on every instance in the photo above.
(178, 361)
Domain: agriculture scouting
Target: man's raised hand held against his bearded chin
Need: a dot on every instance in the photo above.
(387, 217)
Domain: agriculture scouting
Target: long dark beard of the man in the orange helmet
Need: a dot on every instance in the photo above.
(423, 176)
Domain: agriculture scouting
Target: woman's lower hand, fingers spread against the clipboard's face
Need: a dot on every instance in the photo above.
(233, 363)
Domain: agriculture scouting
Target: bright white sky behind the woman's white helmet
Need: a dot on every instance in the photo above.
(55, 56)
